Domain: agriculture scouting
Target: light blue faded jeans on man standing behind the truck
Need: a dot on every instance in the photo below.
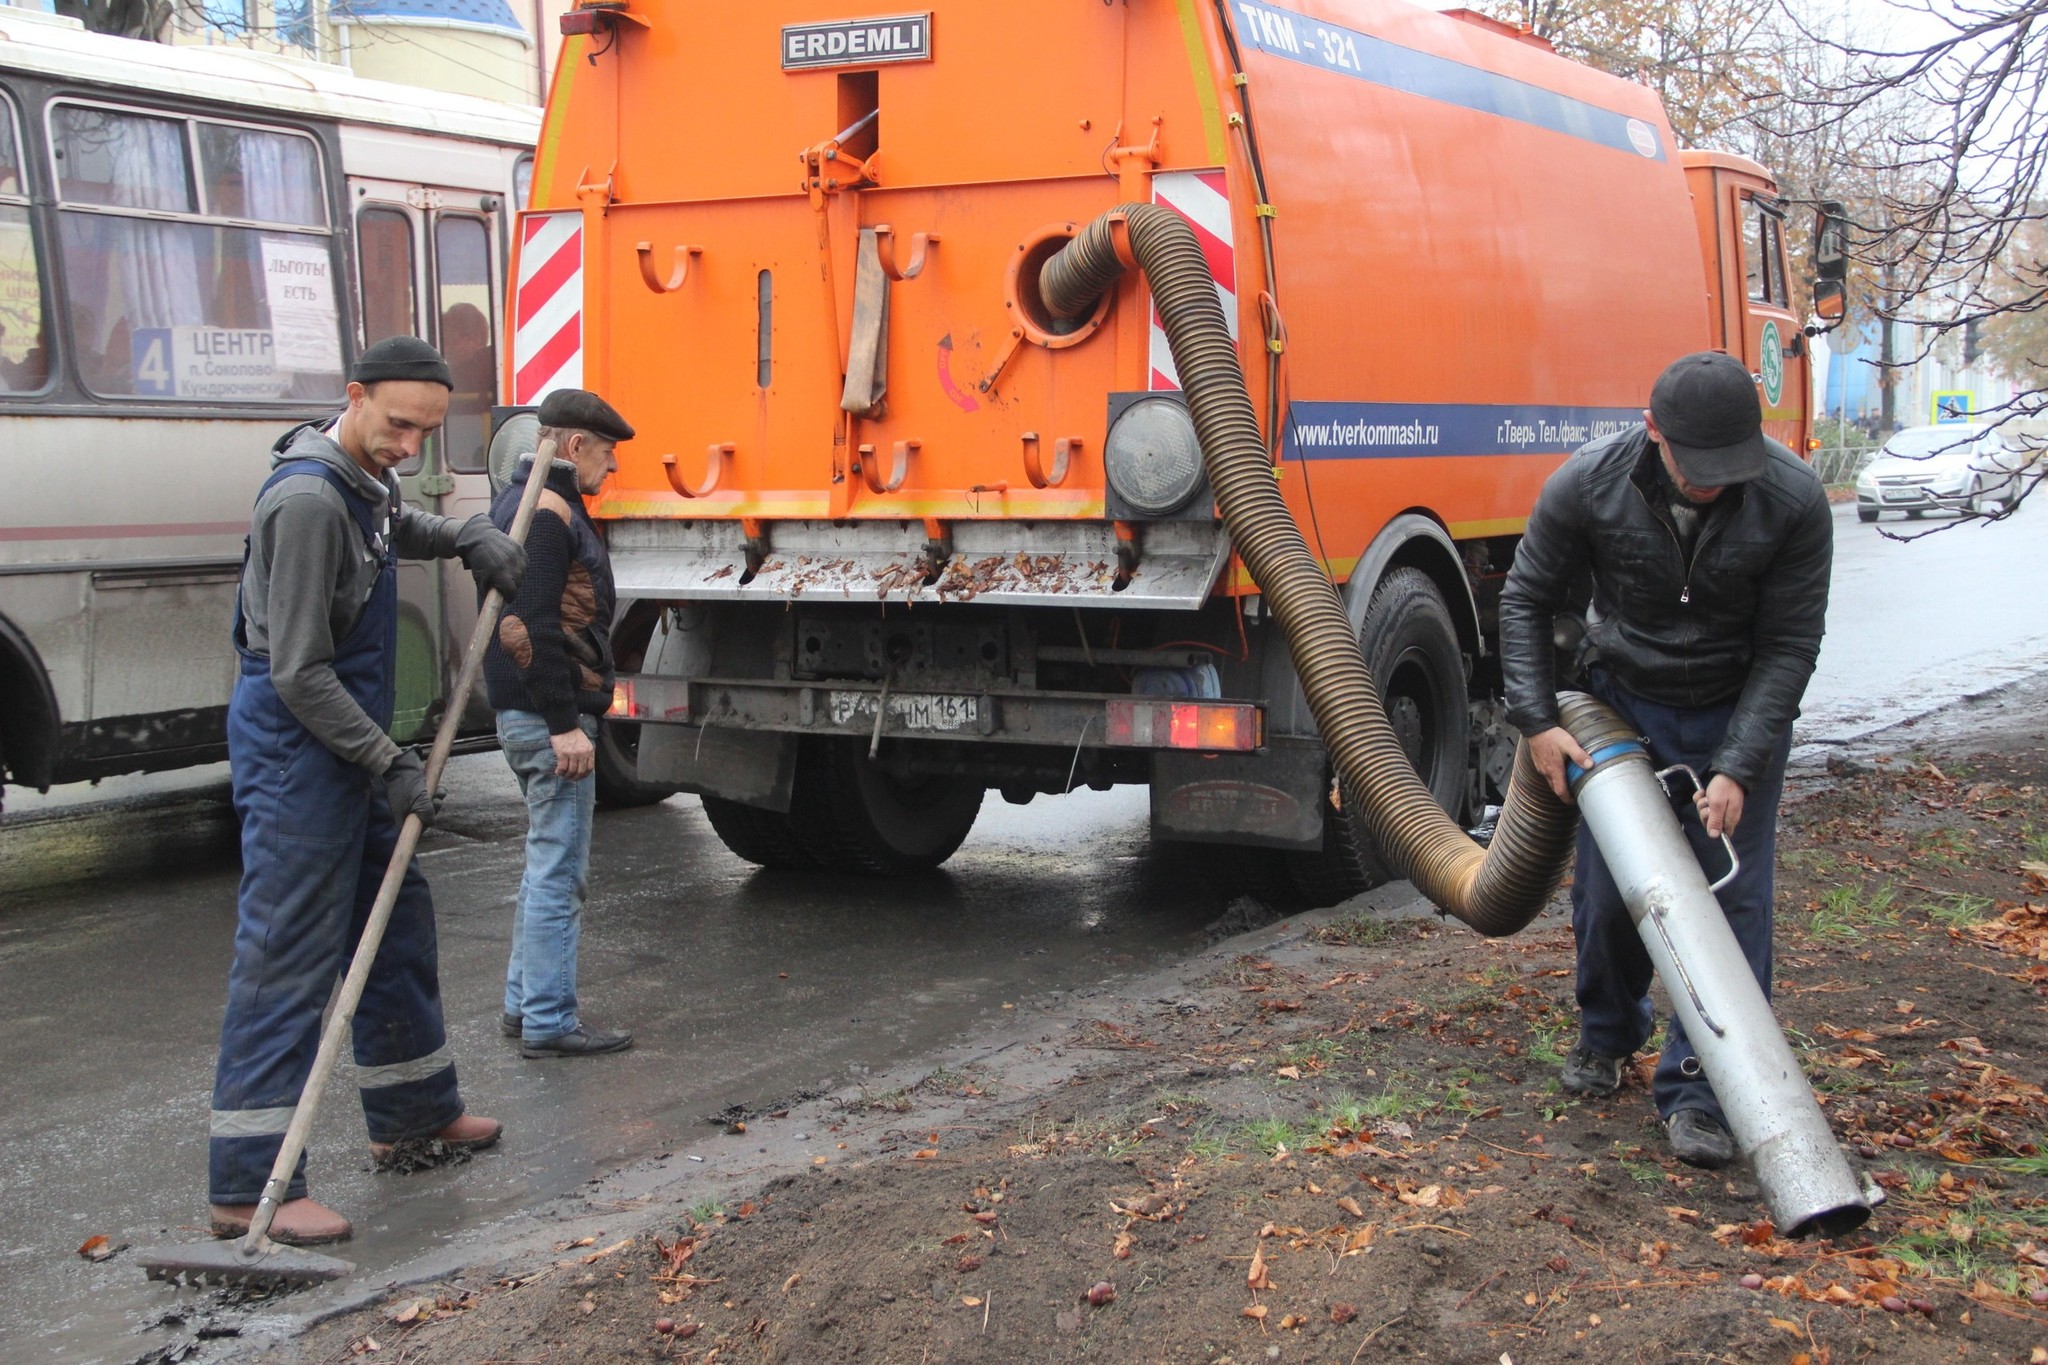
(542, 973)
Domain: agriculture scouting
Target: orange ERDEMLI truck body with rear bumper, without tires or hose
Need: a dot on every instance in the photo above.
(869, 494)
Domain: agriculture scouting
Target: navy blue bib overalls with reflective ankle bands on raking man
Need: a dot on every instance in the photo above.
(316, 838)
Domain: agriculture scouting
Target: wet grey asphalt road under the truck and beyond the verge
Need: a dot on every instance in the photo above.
(742, 987)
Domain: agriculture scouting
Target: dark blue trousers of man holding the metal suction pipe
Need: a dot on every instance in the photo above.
(1615, 967)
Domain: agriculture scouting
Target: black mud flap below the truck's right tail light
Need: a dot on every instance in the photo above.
(1265, 799)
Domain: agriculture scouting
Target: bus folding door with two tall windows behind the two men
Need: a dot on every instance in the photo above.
(429, 267)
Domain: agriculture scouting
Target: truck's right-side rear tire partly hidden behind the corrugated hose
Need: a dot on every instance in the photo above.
(1412, 648)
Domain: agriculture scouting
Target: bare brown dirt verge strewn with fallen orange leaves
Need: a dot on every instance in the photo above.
(1351, 1145)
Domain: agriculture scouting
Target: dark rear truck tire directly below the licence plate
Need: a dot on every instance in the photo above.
(853, 816)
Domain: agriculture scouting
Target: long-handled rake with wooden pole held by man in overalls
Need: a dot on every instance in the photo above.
(255, 1260)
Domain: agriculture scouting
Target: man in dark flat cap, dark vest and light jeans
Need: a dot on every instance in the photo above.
(550, 678)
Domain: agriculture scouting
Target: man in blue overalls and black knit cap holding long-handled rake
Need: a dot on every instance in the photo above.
(318, 783)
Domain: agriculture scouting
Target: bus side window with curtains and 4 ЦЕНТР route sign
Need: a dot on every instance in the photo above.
(165, 300)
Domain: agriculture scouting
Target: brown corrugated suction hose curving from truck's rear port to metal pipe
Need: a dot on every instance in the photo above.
(1496, 891)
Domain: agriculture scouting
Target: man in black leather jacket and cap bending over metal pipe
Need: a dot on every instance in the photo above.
(1709, 547)
